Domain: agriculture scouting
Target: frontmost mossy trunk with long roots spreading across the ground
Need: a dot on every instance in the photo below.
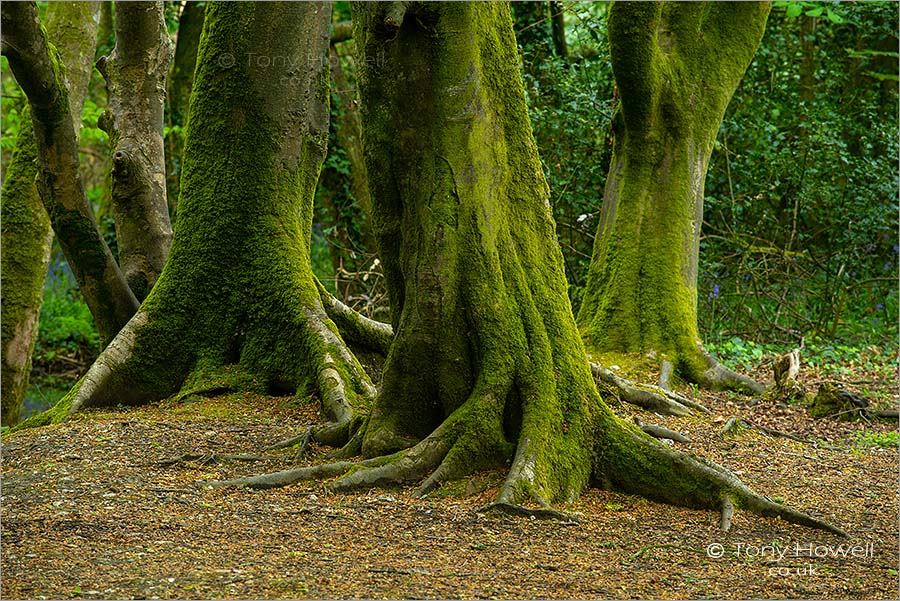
(486, 367)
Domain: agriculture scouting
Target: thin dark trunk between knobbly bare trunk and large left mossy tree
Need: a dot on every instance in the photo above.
(181, 82)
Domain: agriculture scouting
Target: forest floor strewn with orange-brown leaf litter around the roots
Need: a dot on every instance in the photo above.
(102, 507)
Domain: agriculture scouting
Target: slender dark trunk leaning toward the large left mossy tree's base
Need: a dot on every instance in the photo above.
(62, 191)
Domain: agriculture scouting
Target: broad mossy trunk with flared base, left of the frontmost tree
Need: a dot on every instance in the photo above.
(237, 304)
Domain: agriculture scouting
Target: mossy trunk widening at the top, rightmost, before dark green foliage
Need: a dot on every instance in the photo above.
(676, 66)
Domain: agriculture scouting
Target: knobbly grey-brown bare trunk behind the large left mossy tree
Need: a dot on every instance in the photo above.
(135, 76)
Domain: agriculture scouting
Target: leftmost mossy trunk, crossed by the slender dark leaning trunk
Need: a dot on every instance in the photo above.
(27, 236)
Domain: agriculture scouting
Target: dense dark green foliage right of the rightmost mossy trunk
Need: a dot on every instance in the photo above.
(800, 237)
